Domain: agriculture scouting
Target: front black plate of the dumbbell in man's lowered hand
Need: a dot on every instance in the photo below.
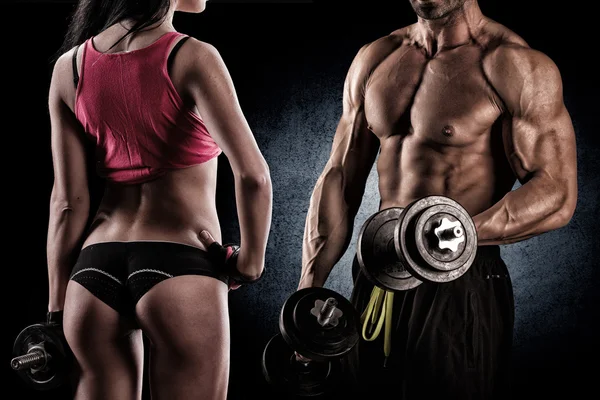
(300, 328)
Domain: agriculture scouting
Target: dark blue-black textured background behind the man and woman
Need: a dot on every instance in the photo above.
(288, 62)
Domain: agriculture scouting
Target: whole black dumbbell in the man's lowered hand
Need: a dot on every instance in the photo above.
(318, 326)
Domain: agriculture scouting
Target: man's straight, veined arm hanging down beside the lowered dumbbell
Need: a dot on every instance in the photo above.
(338, 192)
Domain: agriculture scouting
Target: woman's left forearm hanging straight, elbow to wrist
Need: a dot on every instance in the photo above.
(65, 230)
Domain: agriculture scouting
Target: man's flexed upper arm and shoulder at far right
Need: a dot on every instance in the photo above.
(539, 135)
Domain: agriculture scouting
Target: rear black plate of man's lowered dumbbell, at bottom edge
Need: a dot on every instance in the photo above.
(281, 369)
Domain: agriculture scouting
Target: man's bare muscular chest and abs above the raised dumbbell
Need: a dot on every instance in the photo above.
(439, 120)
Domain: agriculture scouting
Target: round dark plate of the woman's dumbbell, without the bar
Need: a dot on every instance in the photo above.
(53, 373)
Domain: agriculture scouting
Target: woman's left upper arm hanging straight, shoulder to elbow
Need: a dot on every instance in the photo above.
(67, 140)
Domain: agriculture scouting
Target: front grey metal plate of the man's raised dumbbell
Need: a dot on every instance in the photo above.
(427, 255)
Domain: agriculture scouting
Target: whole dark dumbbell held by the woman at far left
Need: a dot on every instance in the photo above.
(41, 357)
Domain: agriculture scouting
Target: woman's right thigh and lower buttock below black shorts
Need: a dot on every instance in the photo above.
(186, 320)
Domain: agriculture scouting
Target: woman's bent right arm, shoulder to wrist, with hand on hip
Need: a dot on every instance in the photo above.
(212, 90)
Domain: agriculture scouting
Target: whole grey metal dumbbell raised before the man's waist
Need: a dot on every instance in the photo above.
(433, 239)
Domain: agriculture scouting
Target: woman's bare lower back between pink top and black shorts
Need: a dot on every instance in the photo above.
(175, 207)
